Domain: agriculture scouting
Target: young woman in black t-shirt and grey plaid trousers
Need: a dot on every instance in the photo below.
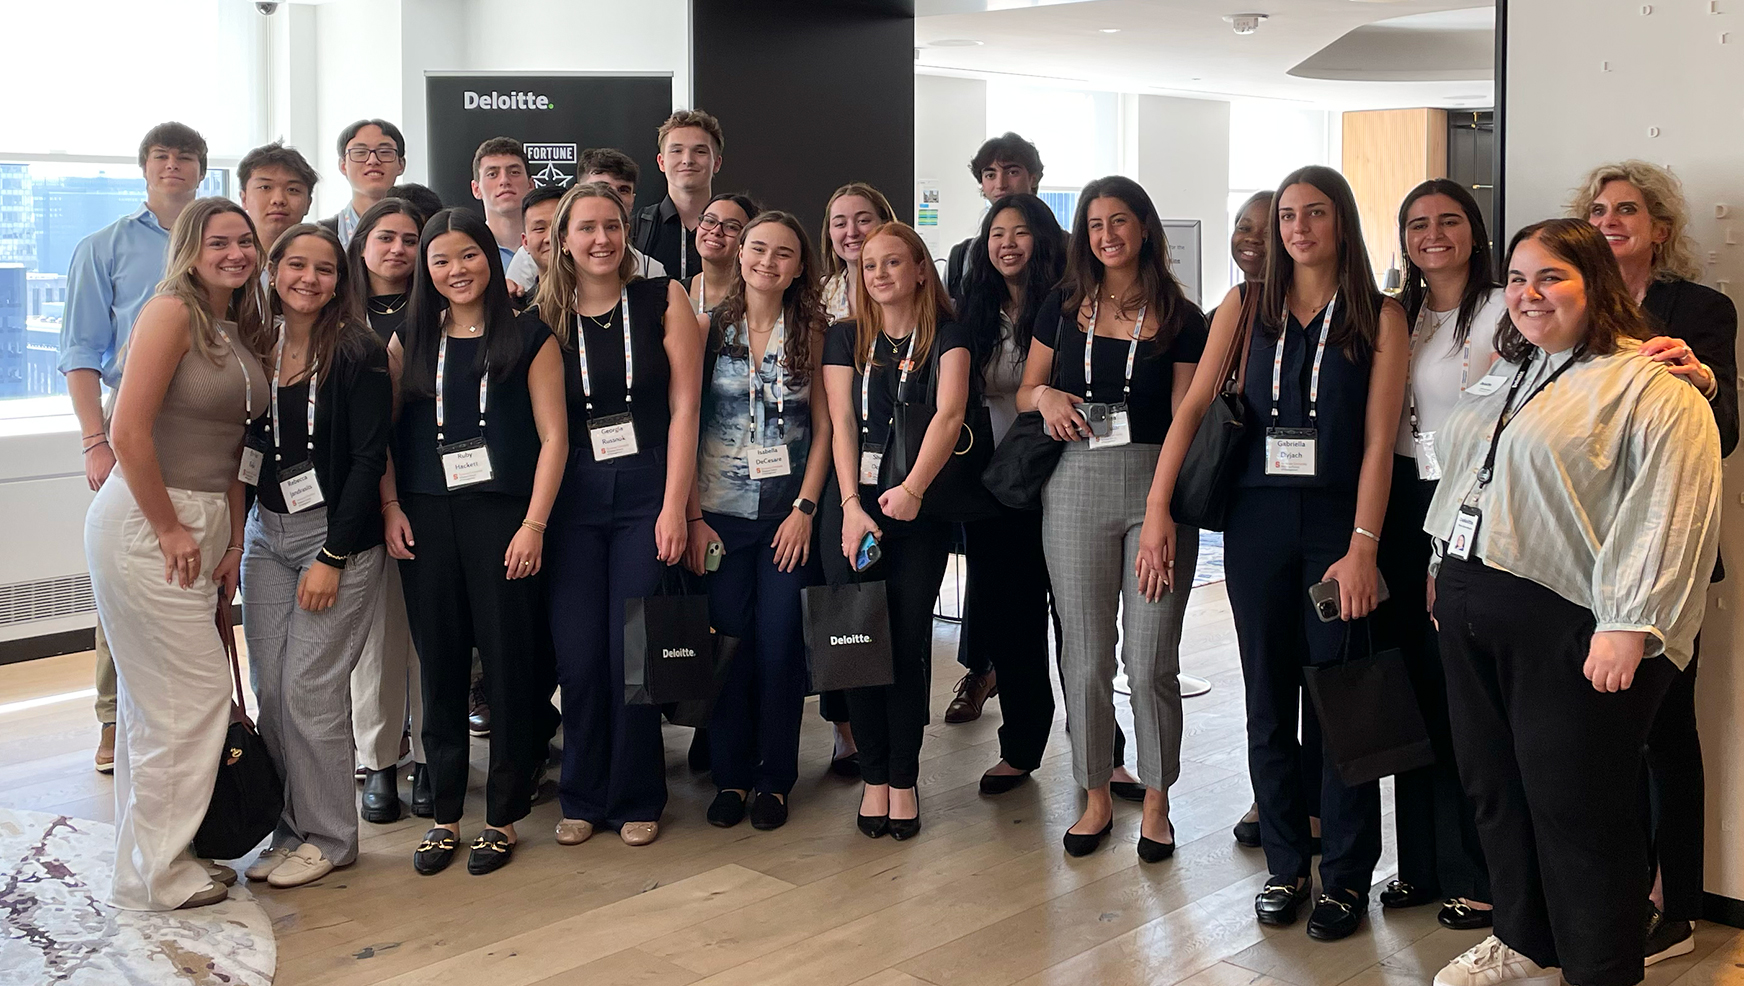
(1122, 336)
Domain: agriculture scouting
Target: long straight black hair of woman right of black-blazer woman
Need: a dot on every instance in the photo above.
(423, 332)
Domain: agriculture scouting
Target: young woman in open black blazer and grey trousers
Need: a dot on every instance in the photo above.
(313, 549)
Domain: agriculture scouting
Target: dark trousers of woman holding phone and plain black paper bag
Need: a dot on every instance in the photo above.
(1277, 544)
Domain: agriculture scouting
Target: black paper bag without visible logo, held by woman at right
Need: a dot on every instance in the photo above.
(1370, 713)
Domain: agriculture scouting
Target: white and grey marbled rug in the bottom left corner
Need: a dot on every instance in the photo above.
(55, 875)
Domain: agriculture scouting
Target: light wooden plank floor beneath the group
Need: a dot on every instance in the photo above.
(983, 898)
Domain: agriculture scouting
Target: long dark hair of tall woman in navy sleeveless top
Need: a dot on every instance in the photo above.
(1358, 294)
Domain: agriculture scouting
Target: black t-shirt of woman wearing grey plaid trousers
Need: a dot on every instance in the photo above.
(1154, 371)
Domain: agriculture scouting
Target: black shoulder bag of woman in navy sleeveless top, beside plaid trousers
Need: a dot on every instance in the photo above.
(1202, 488)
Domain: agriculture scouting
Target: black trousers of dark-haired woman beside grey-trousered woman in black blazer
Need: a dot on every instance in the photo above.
(460, 599)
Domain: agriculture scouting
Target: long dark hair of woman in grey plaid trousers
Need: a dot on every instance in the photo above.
(1084, 271)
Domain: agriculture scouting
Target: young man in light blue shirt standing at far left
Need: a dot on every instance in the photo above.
(111, 277)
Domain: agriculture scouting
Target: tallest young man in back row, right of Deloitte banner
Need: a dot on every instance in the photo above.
(690, 156)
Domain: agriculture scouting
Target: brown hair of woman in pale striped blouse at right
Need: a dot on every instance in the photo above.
(1612, 310)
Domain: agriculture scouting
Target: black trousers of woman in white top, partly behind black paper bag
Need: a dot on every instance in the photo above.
(1438, 828)
